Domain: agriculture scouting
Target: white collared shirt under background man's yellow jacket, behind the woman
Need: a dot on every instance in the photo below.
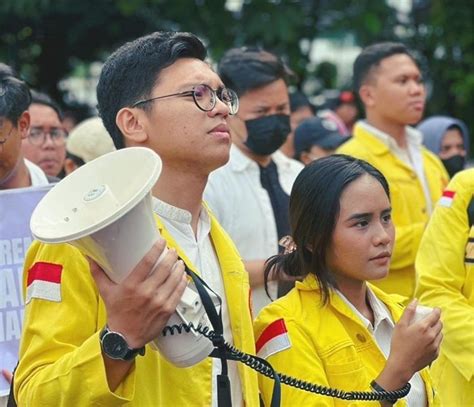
(411, 156)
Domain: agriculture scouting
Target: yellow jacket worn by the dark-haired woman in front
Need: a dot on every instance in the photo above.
(330, 346)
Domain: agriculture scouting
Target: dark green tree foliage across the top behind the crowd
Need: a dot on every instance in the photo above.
(43, 39)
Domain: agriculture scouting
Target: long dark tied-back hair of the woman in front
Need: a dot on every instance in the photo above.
(314, 210)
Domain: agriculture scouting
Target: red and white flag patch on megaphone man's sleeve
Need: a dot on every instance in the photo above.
(44, 282)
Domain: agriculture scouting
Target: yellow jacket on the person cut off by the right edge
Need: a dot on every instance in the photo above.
(445, 271)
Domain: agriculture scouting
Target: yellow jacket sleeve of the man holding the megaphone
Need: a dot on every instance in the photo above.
(62, 365)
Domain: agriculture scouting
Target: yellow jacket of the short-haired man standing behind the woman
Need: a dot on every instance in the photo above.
(409, 211)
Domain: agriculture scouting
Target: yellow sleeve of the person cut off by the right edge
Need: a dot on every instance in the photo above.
(444, 280)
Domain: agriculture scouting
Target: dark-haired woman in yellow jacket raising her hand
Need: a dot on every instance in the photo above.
(334, 328)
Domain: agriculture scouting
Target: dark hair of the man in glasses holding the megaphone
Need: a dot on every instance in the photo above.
(131, 72)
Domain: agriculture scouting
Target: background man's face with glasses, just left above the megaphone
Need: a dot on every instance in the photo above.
(46, 141)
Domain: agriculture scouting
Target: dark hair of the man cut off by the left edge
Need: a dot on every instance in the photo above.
(15, 96)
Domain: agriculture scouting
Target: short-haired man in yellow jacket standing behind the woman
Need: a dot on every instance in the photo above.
(390, 86)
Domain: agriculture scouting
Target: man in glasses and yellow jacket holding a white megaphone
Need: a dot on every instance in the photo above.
(155, 92)
